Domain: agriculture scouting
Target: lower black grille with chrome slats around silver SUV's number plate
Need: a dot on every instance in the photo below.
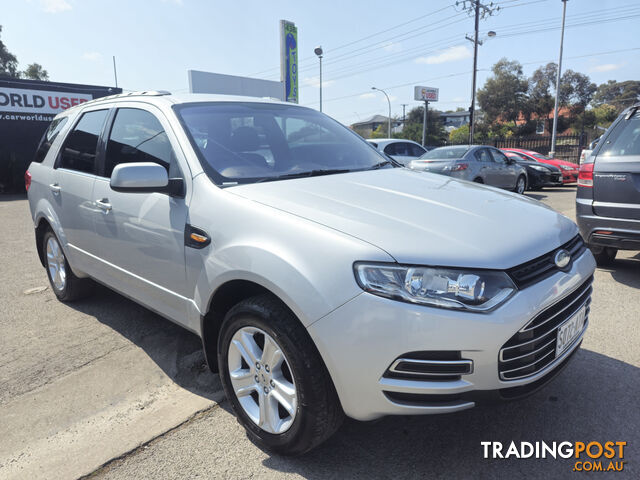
(534, 346)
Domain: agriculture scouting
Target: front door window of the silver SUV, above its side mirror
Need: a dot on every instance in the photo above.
(138, 136)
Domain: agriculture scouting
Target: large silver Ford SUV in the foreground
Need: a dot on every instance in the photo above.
(322, 280)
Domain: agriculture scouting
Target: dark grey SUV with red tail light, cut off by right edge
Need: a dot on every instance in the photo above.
(608, 196)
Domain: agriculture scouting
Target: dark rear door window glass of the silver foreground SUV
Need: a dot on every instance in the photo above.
(79, 151)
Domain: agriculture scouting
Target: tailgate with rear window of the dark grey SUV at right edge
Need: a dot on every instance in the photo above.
(616, 170)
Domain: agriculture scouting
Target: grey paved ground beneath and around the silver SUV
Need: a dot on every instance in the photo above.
(105, 388)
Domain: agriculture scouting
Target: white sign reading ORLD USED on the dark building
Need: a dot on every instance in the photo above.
(18, 100)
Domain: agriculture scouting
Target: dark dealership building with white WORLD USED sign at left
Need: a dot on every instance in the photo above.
(26, 108)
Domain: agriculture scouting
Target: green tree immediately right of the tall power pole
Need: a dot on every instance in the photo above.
(504, 94)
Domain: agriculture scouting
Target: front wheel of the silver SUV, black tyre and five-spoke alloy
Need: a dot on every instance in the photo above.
(275, 379)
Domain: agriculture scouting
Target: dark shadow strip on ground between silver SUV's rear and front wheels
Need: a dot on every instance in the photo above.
(177, 351)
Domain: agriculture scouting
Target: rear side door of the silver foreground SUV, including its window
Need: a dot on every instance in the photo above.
(72, 188)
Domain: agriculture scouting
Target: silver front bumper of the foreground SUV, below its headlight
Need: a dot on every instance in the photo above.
(360, 340)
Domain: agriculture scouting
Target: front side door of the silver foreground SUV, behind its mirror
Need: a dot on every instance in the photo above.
(142, 234)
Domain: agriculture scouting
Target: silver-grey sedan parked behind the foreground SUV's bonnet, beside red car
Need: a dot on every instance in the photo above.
(475, 163)
